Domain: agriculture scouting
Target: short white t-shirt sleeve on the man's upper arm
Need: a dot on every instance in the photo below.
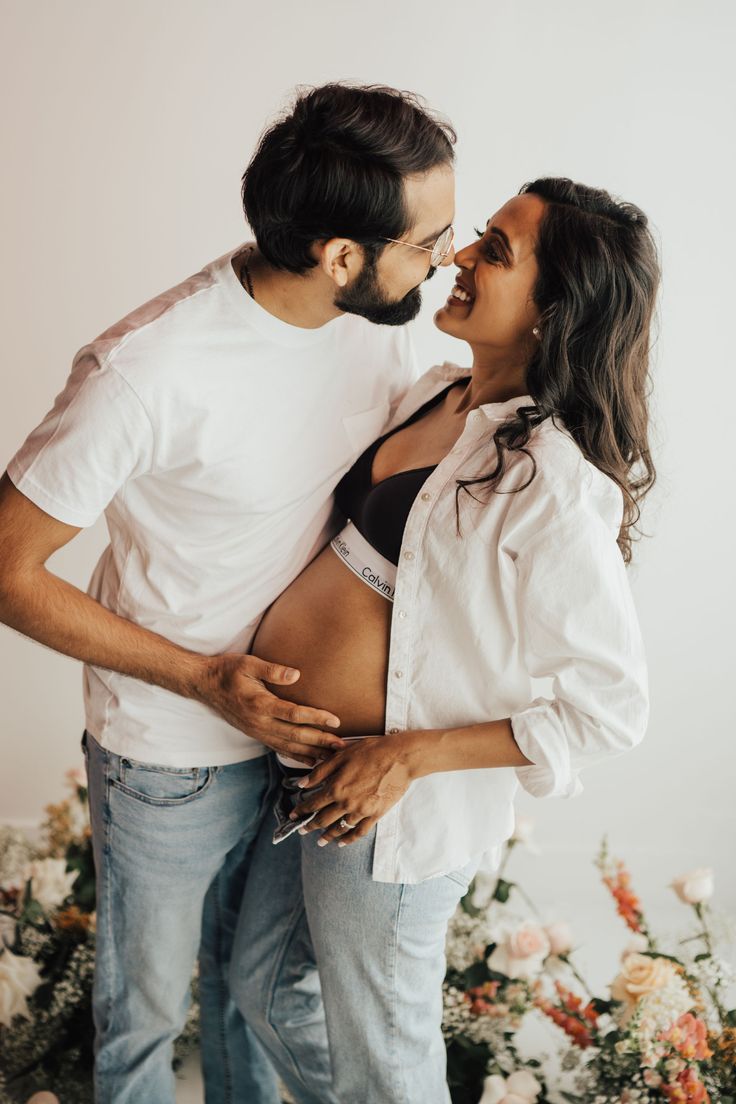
(97, 437)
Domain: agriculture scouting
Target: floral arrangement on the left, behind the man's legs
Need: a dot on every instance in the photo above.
(47, 958)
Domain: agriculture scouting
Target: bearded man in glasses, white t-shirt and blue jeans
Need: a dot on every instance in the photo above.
(211, 427)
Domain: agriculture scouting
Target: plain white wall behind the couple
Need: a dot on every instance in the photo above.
(126, 129)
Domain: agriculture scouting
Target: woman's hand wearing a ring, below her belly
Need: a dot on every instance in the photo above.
(359, 784)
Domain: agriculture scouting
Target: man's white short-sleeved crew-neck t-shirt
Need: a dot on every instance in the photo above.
(212, 436)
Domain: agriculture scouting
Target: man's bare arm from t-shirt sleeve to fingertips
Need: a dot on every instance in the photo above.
(54, 612)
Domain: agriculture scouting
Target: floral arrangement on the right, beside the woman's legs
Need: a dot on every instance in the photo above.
(664, 1034)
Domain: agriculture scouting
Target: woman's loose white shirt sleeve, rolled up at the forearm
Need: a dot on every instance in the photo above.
(579, 627)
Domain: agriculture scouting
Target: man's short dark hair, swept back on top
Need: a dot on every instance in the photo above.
(335, 167)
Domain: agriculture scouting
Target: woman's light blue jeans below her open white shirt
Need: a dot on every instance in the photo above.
(380, 949)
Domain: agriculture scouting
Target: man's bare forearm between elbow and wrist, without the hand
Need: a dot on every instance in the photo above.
(56, 613)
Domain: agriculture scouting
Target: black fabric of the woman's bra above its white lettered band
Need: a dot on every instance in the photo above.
(380, 512)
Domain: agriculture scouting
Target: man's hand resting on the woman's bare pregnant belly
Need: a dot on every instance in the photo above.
(234, 687)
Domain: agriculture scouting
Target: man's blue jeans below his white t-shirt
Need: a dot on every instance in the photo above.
(173, 851)
